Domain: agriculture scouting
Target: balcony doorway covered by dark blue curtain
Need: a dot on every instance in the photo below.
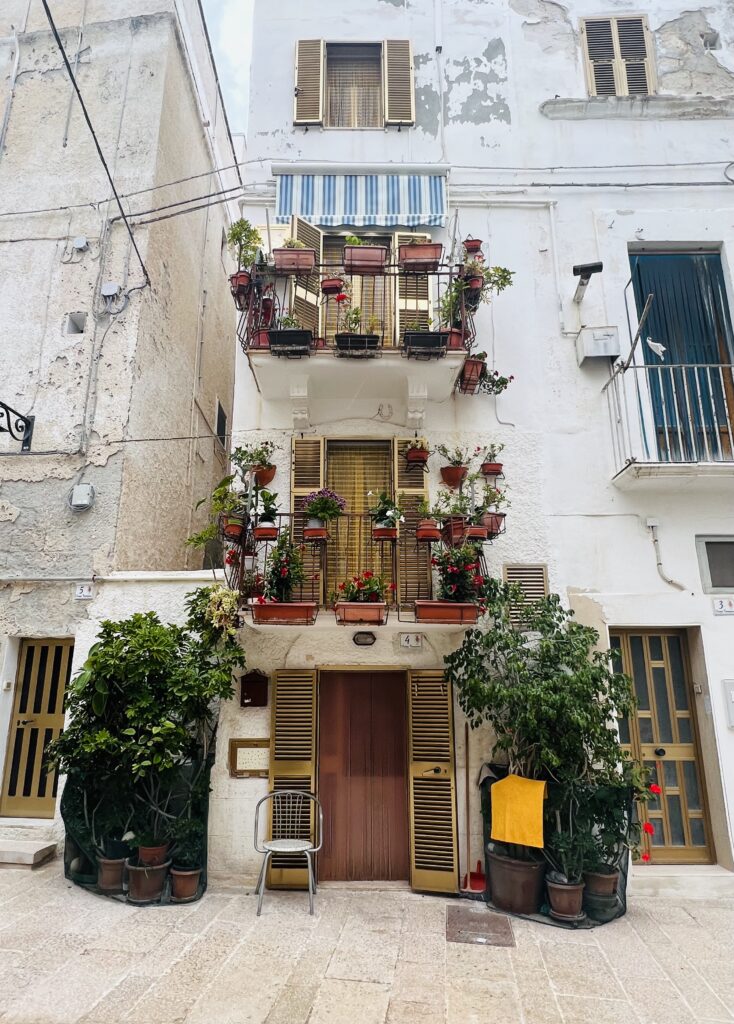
(690, 388)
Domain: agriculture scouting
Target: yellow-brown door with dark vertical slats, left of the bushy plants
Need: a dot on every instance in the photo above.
(45, 669)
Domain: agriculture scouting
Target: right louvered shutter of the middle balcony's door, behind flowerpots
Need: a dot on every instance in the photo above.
(414, 568)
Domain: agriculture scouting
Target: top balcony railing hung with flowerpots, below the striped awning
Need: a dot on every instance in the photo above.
(397, 310)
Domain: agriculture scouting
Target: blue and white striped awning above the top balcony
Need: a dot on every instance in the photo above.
(385, 200)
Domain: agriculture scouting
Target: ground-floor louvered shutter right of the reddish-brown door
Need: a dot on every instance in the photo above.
(435, 861)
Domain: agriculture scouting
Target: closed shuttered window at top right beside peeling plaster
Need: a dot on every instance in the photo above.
(619, 57)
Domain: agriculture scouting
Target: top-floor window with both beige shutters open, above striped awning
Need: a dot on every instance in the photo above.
(354, 86)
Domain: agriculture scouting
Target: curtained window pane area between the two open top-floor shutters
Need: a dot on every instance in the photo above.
(354, 87)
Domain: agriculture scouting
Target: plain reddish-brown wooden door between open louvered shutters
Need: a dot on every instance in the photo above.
(363, 777)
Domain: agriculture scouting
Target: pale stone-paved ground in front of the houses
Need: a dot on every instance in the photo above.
(366, 958)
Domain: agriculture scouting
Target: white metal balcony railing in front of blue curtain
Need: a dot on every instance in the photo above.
(677, 414)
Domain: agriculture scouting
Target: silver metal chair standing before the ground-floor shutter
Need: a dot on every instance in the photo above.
(291, 833)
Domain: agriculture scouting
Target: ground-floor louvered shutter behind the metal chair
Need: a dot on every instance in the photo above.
(293, 764)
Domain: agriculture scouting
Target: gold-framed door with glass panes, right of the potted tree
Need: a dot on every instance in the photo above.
(664, 736)
